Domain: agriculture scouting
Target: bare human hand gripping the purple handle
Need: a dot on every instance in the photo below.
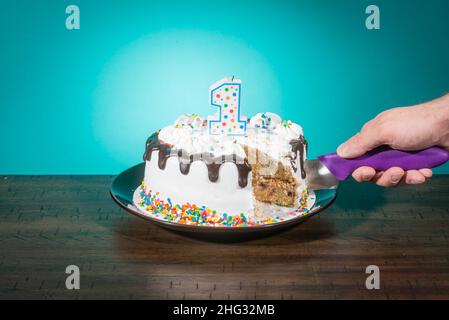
(406, 128)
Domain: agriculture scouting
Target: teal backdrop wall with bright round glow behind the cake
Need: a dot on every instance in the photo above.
(84, 101)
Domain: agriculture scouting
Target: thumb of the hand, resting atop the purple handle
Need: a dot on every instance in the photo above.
(359, 144)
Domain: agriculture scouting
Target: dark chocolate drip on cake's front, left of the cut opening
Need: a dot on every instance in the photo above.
(213, 164)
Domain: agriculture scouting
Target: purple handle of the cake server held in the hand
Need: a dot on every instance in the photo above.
(384, 158)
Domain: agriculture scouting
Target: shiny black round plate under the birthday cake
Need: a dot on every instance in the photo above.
(124, 185)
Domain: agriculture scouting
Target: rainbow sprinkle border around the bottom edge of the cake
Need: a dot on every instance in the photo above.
(193, 214)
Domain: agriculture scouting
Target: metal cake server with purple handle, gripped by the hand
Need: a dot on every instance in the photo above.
(328, 170)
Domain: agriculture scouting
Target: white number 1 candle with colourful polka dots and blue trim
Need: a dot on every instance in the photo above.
(225, 94)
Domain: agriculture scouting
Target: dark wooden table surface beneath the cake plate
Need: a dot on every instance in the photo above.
(49, 222)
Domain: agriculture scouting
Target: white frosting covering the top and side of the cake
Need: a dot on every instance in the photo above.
(224, 195)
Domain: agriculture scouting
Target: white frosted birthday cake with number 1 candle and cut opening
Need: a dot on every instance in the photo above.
(225, 170)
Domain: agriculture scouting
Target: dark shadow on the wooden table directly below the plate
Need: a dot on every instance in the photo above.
(143, 242)
